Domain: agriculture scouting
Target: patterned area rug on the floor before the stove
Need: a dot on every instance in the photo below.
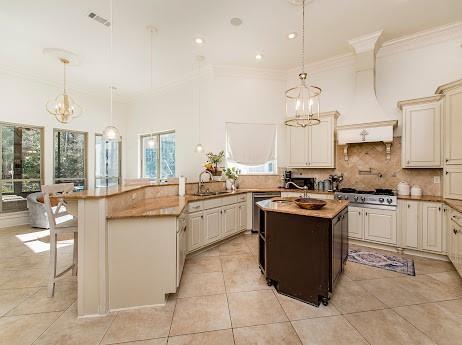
(384, 261)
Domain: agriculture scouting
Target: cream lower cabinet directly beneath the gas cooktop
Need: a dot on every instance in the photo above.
(372, 224)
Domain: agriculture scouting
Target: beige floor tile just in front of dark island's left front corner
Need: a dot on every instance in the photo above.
(255, 308)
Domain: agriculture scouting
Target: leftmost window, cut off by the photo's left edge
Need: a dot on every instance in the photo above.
(21, 165)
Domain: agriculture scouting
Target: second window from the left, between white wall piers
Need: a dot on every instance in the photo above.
(70, 158)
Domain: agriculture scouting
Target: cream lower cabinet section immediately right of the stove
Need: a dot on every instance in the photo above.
(422, 226)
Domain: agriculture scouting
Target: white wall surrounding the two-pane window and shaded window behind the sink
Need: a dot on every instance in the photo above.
(226, 97)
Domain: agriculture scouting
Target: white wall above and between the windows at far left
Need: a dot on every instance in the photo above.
(23, 101)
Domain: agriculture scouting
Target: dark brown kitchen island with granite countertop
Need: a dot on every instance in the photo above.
(303, 252)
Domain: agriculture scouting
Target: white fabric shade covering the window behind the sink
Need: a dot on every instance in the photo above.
(250, 144)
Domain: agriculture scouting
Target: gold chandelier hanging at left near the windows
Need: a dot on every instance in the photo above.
(63, 107)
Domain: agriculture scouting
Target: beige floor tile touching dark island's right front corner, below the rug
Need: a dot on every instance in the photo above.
(349, 297)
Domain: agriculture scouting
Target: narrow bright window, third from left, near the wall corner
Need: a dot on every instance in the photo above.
(107, 162)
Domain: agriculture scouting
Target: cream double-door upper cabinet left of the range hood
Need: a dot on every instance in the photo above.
(313, 146)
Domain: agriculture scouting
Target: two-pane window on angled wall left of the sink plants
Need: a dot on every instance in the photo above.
(158, 155)
